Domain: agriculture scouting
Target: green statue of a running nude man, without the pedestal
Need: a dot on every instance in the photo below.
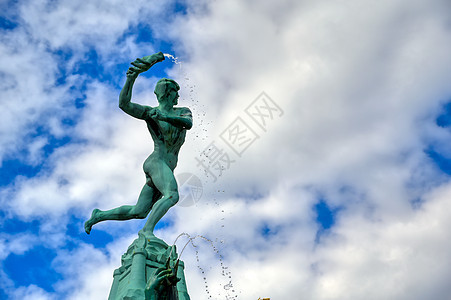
(167, 126)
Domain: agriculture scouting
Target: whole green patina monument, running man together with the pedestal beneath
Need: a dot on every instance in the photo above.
(150, 268)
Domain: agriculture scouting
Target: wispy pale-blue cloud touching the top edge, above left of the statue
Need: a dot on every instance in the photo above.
(78, 25)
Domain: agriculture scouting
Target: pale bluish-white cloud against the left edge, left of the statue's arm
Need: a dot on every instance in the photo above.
(28, 93)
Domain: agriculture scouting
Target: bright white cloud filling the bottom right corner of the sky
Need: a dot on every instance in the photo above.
(408, 257)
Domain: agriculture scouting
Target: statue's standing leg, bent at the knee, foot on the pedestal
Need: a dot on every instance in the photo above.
(165, 182)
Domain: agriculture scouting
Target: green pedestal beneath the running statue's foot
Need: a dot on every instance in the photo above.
(144, 256)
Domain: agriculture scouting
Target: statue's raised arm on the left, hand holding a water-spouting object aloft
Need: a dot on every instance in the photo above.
(139, 65)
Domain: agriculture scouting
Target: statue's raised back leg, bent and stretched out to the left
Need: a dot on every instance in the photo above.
(146, 200)
